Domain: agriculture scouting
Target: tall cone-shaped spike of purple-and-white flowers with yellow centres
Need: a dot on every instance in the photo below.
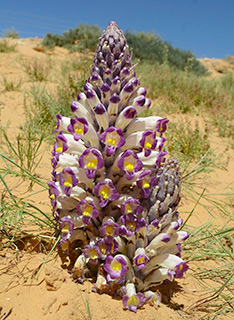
(113, 193)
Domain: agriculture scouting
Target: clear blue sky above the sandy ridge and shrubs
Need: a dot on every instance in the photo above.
(205, 27)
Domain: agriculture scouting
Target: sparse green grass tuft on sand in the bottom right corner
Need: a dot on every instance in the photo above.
(209, 242)
